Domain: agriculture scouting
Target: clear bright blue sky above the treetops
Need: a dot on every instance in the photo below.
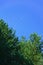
(25, 16)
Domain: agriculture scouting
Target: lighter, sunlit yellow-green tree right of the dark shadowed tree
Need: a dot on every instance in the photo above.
(30, 48)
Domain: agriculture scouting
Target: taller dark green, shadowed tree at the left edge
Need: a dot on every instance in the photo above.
(8, 42)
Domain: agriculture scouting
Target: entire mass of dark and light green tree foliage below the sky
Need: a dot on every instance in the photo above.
(18, 52)
